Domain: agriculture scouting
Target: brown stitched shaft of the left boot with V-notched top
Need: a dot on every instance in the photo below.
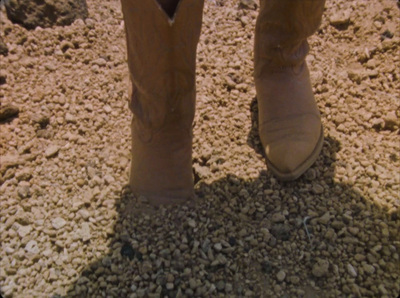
(161, 58)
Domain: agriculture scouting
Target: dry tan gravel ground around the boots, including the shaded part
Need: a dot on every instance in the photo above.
(65, 159)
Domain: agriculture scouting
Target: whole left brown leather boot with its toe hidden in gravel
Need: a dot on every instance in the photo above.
(161, 59)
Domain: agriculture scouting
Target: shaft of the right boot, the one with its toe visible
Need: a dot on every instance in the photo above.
(282, 29)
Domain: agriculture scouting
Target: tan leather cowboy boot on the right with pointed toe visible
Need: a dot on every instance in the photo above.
(289, 121)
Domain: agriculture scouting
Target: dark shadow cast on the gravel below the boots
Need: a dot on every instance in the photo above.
(152, 253)
